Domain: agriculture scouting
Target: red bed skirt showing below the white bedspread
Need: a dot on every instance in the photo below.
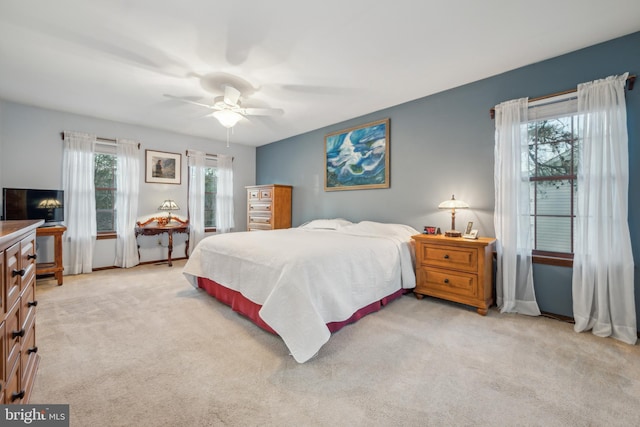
(250, 309)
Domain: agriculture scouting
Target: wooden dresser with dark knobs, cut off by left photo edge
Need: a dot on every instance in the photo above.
(19, 361)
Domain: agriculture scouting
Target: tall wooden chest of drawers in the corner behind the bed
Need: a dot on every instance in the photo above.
(268, 207)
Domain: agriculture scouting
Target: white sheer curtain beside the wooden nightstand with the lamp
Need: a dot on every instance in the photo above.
(512, 221)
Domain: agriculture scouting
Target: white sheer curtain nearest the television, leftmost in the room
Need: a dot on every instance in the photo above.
(79, 201)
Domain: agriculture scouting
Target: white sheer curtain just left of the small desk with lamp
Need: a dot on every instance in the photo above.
(127, 195)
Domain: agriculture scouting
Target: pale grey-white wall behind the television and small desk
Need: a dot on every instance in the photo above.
(31, 157)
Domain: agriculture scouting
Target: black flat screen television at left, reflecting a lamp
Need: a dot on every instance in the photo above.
(28, 203)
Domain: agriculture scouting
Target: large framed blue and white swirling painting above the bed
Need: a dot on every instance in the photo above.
(357, 158)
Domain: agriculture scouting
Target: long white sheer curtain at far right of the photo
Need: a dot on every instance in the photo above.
(603, 288)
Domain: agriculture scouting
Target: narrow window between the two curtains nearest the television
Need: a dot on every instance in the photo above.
(105, 191)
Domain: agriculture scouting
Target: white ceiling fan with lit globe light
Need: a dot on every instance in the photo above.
(228, 110)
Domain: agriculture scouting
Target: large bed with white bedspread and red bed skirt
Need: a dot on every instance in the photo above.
(306, 282)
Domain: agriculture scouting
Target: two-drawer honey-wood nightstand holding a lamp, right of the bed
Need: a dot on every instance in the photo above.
(455, 269)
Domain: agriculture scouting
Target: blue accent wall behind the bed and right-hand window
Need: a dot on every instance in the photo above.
(443, 144)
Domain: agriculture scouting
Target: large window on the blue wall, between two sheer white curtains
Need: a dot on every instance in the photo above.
(552, 165)
